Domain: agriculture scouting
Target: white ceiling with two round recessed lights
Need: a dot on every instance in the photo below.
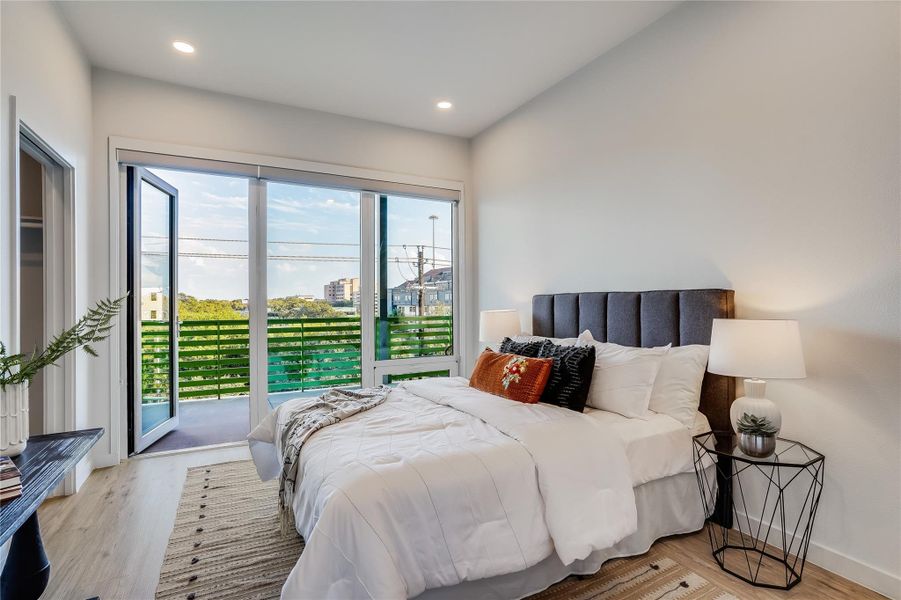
(383, 61)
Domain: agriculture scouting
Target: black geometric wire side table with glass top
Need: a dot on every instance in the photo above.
(774, 503)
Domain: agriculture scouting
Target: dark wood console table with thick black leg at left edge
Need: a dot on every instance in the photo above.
(43, 465)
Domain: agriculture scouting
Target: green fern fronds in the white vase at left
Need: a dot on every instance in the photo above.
(93, 327)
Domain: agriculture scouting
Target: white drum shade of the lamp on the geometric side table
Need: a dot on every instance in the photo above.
(762, 349)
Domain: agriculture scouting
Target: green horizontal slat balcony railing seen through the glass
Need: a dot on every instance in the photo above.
(304, 354)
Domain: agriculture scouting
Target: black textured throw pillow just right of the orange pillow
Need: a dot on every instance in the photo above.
(570, 376)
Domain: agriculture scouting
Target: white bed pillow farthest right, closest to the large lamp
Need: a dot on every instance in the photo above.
(677, 389)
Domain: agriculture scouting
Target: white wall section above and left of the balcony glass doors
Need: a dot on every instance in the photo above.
(140, 108)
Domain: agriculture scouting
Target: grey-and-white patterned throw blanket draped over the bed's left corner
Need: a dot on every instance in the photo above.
(302, 417)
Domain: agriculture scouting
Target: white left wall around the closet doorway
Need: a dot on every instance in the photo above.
(44, 69)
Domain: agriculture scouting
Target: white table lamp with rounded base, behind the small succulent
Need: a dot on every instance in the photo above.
(758, 350)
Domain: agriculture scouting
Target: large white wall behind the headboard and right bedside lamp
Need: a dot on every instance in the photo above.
(745, 145)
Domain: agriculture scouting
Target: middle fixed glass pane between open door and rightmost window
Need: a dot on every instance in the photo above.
(313, 335)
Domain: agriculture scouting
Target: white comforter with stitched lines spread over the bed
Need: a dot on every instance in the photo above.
(442, 484)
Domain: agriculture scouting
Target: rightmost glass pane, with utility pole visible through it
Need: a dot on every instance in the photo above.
(415, 282)
